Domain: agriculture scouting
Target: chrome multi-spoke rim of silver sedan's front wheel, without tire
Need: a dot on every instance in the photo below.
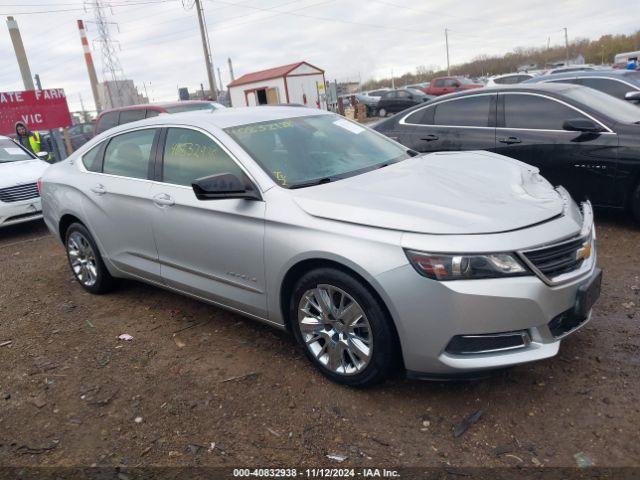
(335, 329)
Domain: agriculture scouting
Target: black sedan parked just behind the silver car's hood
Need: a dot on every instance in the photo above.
(578, 137)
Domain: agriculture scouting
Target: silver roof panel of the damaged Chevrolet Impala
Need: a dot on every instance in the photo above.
(221, 119)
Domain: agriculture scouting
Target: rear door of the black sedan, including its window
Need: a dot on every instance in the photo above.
(466, 123)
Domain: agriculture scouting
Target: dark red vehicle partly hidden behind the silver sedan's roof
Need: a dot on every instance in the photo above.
(118, 116)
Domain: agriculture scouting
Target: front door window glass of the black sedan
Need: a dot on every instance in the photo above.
(536, 113)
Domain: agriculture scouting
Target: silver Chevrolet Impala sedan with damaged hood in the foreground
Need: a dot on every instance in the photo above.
(372, 256)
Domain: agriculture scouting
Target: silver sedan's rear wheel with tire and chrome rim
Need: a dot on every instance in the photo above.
(85, 261)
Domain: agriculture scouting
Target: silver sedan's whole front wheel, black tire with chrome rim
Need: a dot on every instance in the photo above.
(354, 343)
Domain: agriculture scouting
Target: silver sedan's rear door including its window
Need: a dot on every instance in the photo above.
(117, 201)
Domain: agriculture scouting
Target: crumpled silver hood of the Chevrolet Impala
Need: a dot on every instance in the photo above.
(439, 193)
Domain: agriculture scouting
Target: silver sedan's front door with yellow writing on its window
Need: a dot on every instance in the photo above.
(210, 248)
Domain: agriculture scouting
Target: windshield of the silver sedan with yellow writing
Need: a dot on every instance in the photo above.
(315, 149)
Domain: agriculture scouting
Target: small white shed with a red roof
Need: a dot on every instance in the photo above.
(295, 83)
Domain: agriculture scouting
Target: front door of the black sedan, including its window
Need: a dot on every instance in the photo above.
(530, 129)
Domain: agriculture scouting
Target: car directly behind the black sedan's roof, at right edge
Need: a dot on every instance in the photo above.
(622, 84)
